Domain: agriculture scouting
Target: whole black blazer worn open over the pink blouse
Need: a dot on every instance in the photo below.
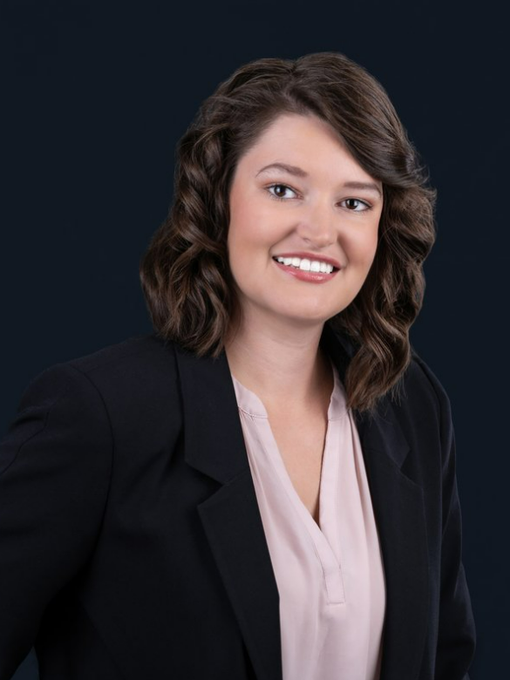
(131, 545)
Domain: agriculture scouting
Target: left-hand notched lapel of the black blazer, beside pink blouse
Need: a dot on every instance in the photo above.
(214, 445)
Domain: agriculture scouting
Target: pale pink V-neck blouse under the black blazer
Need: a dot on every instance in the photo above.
(330, 578)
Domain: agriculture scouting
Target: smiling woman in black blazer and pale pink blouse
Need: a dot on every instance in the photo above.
(265, 487)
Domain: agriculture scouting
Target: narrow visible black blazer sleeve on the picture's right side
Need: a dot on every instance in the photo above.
(456, 633)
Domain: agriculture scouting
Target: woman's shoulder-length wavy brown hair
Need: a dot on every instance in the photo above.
(185, 273)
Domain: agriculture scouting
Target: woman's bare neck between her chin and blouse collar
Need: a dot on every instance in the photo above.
(283, 365)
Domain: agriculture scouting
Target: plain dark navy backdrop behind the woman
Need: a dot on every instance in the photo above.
(95, 96)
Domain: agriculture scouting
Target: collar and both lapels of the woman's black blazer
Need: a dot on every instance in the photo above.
(214, 445)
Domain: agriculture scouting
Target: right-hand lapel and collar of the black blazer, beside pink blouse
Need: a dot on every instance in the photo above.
(399, 512)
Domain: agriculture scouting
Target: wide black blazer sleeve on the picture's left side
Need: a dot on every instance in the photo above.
(55, 466)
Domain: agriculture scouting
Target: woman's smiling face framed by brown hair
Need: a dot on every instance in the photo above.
(289, 225)
